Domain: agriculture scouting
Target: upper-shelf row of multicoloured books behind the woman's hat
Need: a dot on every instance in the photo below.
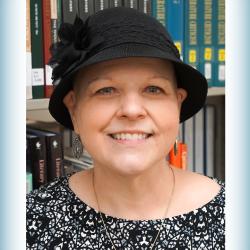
(196, 26)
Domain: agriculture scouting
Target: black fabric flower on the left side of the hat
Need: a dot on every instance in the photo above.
(75, 43)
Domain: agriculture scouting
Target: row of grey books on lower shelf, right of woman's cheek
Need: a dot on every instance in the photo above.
(199, 135)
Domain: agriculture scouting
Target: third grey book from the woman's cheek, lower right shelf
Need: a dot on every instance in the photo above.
(210, 140)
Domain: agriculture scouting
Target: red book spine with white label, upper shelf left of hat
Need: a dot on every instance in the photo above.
(48, 87)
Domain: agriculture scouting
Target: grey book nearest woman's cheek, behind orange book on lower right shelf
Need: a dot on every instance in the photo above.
(189, 141)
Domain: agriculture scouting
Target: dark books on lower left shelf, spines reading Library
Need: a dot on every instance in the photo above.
(49, 155)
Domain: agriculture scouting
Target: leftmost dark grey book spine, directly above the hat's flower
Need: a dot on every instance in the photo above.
(69, 10)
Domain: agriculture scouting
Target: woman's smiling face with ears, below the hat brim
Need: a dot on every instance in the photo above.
(127, 112)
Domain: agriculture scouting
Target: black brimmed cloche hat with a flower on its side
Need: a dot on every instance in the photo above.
(117, 33)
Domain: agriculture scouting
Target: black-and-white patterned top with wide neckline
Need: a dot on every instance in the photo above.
(58, 219)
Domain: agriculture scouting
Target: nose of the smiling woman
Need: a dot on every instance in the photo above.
(132, 107)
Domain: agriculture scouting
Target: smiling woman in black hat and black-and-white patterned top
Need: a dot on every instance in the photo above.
(121, 86)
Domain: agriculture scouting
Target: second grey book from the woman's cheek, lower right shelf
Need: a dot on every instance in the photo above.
(199, 142)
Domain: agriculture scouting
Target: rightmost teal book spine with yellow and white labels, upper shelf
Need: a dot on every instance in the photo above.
(220, 43)
